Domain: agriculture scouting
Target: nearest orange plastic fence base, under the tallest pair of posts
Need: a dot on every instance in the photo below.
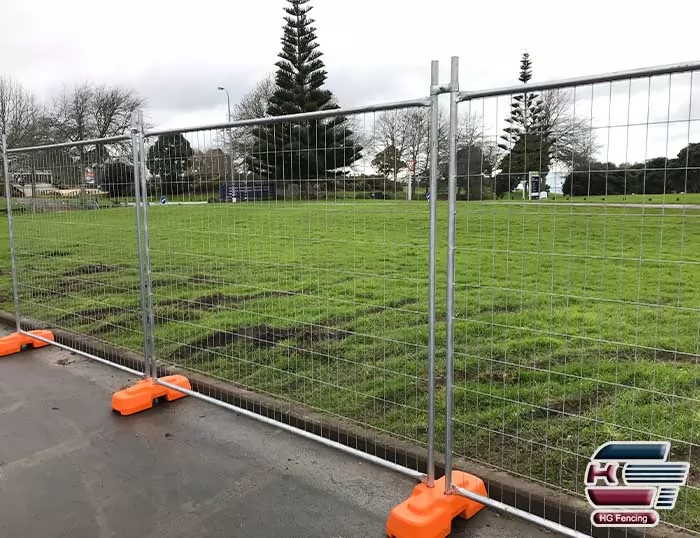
(428, 512)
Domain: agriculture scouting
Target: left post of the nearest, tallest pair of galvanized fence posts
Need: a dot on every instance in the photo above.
(434, 111)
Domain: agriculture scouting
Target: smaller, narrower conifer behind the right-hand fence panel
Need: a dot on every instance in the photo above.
(528, 139)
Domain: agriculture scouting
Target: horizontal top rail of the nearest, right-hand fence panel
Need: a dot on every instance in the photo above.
(582, 81)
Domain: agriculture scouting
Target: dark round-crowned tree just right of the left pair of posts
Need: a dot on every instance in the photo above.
(170, 158)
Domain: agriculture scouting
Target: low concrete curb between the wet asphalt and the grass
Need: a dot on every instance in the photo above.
(536, 499)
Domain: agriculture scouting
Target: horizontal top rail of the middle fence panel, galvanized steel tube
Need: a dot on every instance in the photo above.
(317, 115)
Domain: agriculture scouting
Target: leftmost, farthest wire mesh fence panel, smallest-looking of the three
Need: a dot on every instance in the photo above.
(76, 243)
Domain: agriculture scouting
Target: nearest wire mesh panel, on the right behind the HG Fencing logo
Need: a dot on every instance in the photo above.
(577, 263)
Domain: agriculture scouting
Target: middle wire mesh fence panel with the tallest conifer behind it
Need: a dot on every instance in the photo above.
(293, 262)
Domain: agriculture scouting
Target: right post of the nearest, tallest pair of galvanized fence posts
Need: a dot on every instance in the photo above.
(452, 196)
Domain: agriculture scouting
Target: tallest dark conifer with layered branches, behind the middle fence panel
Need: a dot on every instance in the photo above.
(301, 150)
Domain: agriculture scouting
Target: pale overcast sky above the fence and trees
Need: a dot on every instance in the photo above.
(176, 53)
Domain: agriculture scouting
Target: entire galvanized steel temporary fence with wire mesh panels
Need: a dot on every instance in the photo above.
(389, 274)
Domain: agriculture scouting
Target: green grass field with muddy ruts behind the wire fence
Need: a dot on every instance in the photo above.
(575, 325)
